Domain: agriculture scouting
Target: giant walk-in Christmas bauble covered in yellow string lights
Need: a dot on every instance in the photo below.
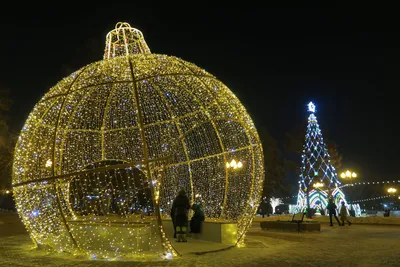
(104, 152)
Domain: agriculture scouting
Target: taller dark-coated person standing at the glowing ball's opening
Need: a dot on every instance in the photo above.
(180, 210)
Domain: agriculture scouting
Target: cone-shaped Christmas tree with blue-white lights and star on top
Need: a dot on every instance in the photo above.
(318, 178)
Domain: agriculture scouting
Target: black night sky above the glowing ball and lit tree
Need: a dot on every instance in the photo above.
(274, 60)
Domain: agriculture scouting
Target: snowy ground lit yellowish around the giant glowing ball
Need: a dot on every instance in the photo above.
(357, 245)
